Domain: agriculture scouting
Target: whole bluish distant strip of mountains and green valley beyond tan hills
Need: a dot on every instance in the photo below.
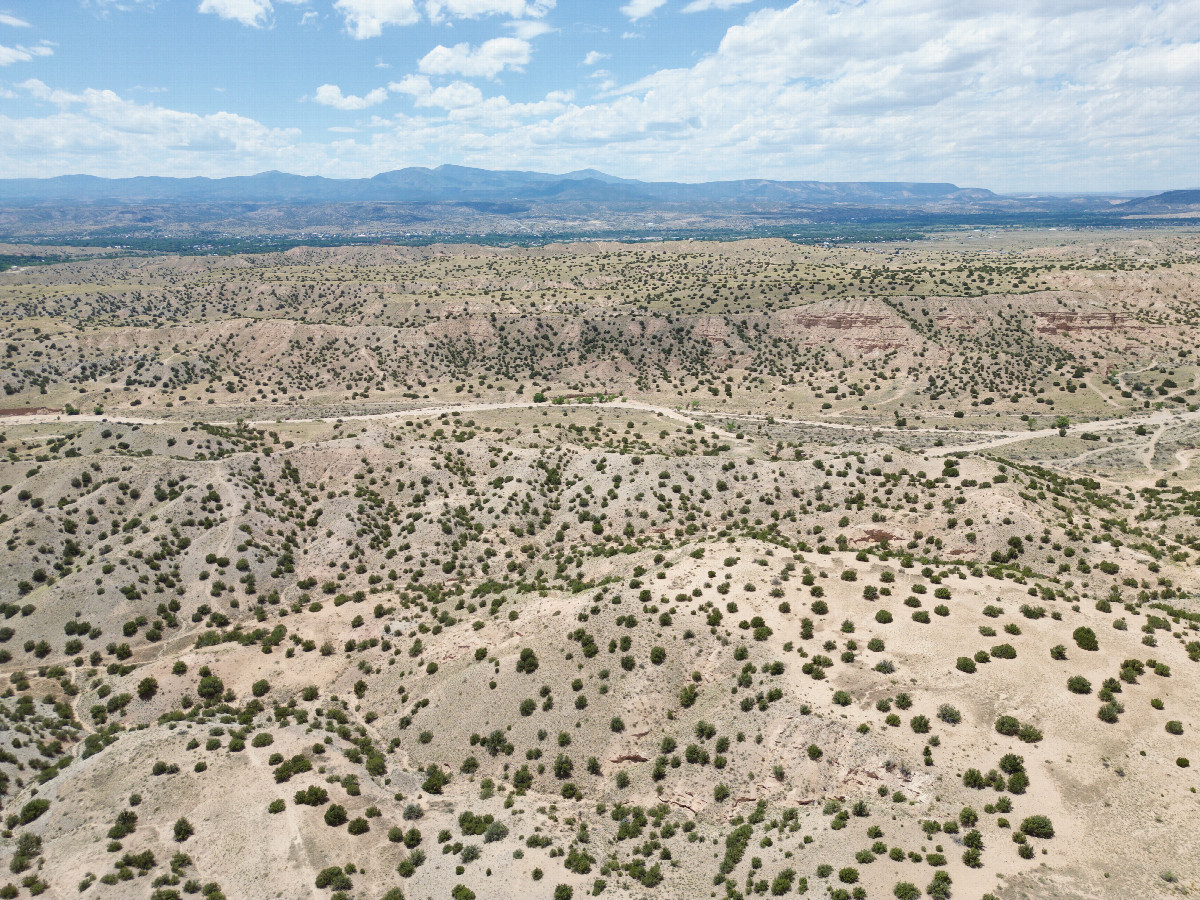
(423, 203)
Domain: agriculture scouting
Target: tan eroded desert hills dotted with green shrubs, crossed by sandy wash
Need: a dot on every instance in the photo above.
(632, 572)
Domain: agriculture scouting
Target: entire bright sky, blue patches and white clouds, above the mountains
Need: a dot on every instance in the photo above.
(1058, 95)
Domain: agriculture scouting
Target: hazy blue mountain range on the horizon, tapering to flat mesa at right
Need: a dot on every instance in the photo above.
(459, 184)
